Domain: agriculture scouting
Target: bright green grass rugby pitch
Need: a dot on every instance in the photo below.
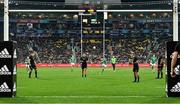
(60, 85)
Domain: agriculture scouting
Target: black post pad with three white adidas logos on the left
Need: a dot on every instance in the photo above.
(8, 56)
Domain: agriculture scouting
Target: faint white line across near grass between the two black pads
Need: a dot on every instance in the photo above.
(89, 96)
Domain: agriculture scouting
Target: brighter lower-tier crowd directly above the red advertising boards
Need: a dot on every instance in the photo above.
(53, 50)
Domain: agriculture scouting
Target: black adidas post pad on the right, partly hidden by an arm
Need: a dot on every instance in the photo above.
(173, 80)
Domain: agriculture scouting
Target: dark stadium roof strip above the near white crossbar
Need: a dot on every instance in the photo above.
(111, 4)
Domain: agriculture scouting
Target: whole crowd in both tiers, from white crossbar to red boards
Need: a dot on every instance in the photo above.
(127, 35)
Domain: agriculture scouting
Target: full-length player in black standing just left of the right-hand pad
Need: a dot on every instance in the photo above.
(160, 67)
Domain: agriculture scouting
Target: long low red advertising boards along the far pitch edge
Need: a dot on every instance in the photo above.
(89, 65)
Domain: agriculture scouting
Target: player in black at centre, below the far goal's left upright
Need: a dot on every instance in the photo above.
(84, 65)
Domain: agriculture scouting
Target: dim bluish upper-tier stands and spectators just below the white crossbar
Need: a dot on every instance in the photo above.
(69, 24)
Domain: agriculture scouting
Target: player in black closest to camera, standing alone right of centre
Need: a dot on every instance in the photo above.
(136, 69)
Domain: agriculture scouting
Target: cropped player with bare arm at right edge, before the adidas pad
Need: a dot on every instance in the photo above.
(175, 63)
